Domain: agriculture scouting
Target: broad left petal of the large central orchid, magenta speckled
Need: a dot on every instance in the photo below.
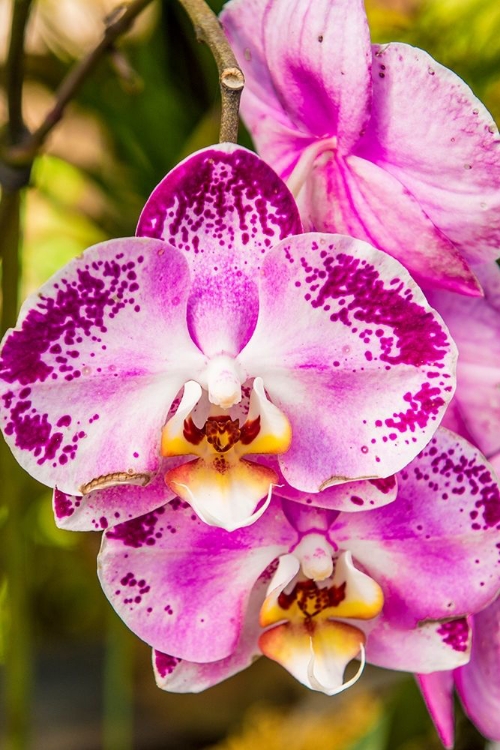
(97, 358)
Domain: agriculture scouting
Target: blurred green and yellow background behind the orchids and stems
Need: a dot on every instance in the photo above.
(150, 103)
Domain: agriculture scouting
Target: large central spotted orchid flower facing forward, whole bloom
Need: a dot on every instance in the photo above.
(313, 347)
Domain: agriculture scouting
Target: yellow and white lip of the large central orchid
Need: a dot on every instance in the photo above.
(223, 488)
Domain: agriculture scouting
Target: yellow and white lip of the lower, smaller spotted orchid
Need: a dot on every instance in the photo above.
(305, 632)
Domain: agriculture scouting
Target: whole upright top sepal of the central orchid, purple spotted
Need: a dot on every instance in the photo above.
(224, 208)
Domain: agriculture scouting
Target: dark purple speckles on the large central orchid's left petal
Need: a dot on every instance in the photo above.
(59, 341)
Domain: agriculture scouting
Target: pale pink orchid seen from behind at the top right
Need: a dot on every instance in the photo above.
(380, 142)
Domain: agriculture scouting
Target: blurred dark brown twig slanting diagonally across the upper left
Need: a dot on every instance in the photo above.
(25, 153)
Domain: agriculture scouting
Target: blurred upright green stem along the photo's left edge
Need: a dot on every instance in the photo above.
(15, 546)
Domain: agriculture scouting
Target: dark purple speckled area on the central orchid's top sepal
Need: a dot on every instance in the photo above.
(226, 204)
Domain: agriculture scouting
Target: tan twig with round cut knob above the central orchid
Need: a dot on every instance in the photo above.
(232, 80)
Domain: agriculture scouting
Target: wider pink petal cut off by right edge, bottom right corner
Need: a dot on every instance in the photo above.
(478, 683)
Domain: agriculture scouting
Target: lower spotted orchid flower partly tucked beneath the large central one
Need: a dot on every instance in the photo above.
(314, 588)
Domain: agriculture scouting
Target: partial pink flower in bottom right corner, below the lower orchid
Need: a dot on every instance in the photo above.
(477, 683)
